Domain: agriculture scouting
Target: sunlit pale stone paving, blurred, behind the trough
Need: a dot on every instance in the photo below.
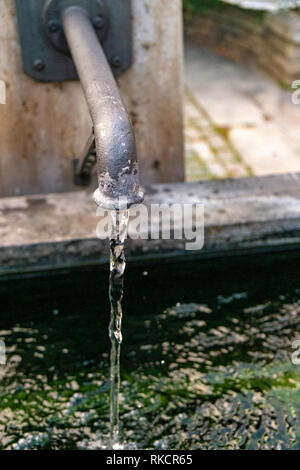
(238, 120)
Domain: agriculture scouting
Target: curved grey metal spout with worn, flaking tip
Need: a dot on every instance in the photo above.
(117, 167)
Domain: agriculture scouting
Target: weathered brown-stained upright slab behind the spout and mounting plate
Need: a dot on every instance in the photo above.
(45, 126)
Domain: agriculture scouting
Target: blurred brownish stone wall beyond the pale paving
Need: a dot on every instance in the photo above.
(271, 40)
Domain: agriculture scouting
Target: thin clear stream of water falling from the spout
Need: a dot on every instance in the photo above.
(117, 268)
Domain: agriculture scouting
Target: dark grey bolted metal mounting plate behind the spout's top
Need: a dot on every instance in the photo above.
(45, 52)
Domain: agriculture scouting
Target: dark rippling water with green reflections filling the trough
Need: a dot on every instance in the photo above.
(205, 364)
